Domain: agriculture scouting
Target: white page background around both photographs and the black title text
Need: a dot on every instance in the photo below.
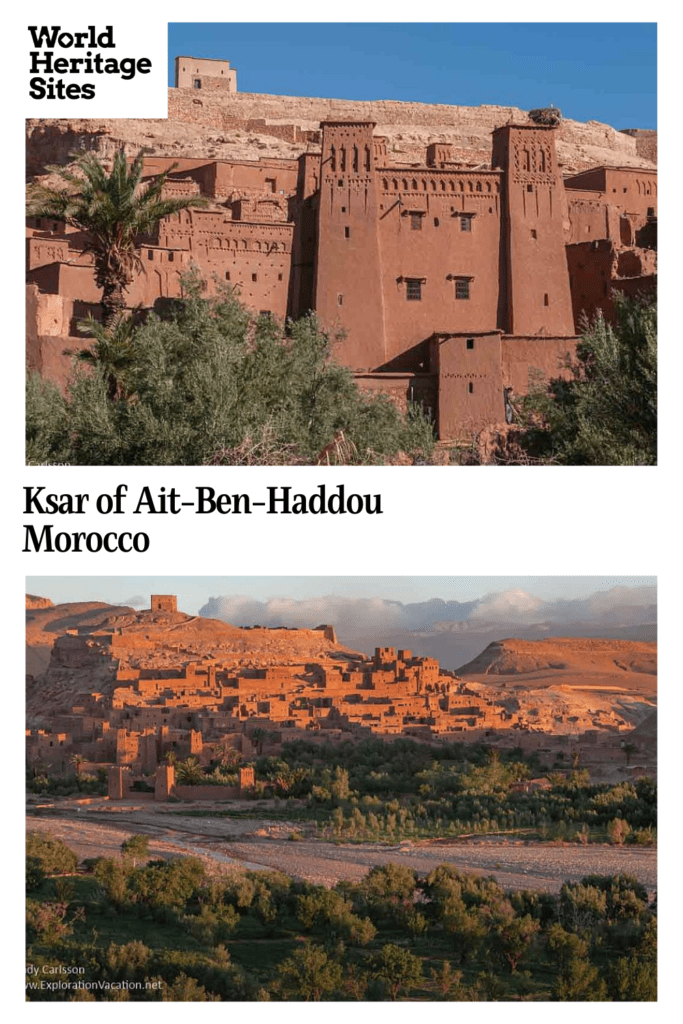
(459, 522)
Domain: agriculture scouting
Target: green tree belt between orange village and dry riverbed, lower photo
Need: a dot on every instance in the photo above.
(406, 790)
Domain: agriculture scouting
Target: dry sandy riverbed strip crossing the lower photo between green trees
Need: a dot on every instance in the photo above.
(231, 843)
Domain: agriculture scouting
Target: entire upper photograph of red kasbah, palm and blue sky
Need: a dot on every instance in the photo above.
(354, 245)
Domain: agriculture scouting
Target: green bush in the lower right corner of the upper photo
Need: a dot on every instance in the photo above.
(606, 413)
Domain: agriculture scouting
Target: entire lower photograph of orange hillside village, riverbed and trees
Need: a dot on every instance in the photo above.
(346, 789)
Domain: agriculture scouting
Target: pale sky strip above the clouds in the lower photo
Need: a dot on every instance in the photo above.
(194, 592)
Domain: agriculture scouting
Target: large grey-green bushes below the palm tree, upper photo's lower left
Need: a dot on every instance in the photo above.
(208, 383)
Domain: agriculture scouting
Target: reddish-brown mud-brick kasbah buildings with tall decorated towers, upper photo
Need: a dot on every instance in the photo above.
(443, 283)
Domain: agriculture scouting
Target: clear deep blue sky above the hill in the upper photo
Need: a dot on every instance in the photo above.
(601, 72)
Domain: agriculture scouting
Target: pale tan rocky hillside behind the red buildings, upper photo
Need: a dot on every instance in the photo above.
(250, 126)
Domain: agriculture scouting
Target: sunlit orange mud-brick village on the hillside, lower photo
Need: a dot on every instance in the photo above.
(159, 684)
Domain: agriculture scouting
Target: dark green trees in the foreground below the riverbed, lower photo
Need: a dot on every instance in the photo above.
(168, 931)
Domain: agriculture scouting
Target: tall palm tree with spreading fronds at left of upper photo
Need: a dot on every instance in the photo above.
(114, 209)
